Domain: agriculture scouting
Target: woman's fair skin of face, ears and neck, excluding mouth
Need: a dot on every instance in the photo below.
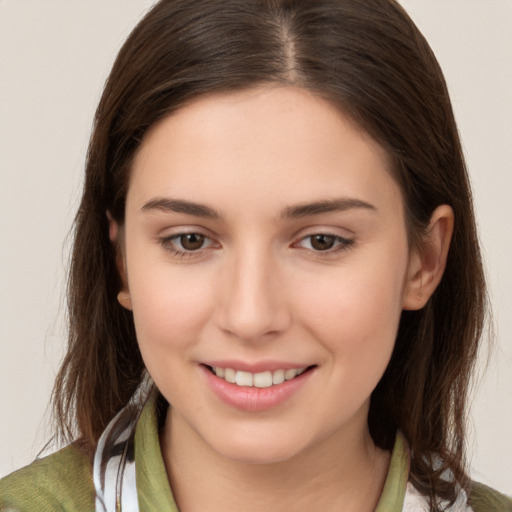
(259, 290)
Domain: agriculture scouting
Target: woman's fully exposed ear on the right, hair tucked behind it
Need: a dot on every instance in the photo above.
(428, 261)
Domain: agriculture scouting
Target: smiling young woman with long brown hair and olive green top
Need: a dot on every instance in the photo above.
(276, 294)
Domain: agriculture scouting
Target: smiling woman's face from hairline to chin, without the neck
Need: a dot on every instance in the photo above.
(265, 238)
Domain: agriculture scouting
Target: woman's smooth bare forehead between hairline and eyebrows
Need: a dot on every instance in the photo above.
(244, 145)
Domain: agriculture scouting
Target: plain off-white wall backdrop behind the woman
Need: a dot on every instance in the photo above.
(54, 58)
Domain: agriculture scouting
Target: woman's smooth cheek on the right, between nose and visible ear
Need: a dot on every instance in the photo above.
(356, 311)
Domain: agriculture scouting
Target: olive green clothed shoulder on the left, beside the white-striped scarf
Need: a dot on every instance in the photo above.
(60, 482)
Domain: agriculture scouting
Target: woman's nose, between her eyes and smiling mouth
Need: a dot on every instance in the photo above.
(253, 306)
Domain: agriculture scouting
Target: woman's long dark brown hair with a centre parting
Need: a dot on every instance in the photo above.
(368, 58)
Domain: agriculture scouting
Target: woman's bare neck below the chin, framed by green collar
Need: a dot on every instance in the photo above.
(344, 473)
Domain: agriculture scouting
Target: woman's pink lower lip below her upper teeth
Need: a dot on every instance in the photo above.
(251, 398)
